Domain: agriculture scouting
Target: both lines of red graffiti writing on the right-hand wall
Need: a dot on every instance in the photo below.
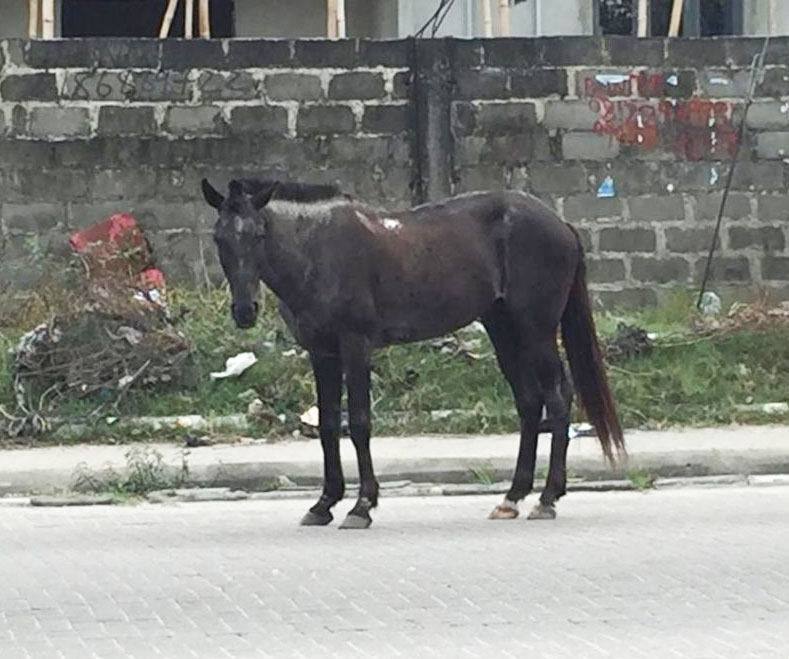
(692, 128)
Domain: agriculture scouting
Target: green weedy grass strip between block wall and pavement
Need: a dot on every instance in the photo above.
(686, 380)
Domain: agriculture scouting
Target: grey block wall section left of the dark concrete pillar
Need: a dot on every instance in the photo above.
(92, 127)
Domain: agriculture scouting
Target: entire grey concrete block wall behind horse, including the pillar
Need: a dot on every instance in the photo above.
(89, 127)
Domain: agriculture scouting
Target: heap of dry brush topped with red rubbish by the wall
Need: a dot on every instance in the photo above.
(119, 336)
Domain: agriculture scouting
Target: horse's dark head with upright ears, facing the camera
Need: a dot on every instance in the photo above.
(239, 233)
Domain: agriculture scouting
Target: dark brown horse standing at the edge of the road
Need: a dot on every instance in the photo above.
(352, 278)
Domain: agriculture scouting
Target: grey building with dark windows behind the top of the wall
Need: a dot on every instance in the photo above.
(390, 19)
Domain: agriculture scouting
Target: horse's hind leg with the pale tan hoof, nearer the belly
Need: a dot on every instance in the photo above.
(513, 359)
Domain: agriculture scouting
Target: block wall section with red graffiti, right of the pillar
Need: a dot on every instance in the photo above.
(659, 118)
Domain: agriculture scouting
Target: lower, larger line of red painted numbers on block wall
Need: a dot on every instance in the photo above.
(692, 129)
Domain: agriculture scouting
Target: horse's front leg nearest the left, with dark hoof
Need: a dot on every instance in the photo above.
(328, 382)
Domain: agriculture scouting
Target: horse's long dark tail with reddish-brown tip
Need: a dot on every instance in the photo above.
(586, 365)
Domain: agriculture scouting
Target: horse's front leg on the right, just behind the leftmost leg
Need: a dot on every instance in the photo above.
(356, 352)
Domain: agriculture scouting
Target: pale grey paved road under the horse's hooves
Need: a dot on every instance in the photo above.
(691, 573)
